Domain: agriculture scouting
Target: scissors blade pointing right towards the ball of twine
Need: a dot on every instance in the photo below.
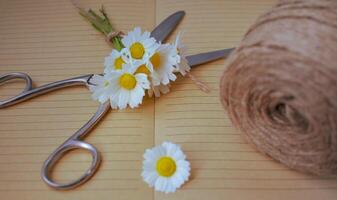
(202, 58)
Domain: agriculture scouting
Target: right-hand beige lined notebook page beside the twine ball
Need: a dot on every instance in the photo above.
(224, 166)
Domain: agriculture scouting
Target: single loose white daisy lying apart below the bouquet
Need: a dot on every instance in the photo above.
(165, 167)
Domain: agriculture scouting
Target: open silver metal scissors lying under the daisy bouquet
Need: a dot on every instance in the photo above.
(160, 33)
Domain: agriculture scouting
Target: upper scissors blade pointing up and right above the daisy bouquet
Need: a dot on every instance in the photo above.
(163, 30)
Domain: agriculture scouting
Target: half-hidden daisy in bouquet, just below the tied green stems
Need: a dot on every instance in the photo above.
(114, 61)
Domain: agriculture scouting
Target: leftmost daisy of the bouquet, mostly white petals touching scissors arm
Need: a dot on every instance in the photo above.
(101, 87)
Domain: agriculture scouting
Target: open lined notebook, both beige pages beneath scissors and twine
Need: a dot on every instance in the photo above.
(50, 41)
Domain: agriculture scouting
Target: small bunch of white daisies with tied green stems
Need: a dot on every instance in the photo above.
(138, 63)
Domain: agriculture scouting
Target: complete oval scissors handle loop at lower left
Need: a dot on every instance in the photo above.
(52, 160)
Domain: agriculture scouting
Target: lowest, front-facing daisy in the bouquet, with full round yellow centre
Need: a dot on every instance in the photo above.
(127, 87)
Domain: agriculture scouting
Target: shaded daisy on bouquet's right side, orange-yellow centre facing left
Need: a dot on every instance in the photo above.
(162, 63)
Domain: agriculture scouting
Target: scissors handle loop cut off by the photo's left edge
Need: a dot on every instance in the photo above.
(15, 75)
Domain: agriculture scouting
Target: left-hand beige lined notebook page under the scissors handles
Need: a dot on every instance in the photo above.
(50, 41)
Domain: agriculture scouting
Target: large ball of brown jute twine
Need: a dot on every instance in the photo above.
(280, 85)
